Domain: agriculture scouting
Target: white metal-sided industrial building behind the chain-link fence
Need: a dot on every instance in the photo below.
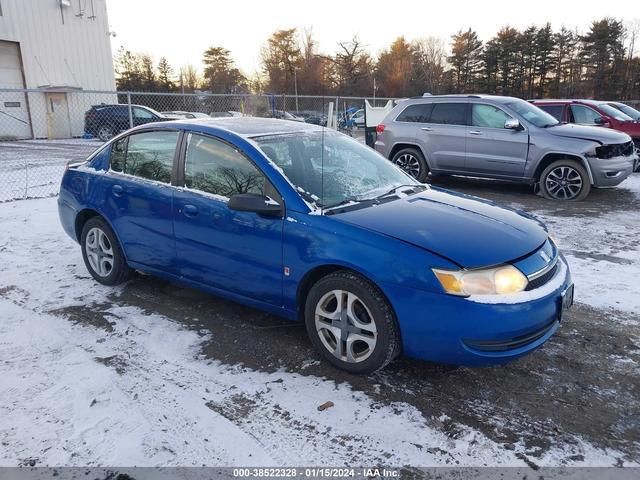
(62, 48)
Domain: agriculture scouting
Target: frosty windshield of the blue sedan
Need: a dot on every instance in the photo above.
(352, 171)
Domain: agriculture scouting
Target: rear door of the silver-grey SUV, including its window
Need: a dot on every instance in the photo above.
(443, 136)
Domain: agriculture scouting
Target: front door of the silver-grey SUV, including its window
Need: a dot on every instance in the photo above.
(491, 148)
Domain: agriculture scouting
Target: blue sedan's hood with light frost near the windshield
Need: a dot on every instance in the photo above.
(468, 231)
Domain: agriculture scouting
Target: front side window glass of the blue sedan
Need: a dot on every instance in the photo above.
(215, 167)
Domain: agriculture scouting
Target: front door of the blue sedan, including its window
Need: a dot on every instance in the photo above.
(240, 252)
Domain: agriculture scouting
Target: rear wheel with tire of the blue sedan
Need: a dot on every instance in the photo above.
(102, 254)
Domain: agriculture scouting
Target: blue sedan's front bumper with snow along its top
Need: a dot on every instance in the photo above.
(448, 329)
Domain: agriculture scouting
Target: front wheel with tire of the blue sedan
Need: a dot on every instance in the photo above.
(351, 324)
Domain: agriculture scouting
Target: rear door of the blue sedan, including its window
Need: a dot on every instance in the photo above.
(139, 196)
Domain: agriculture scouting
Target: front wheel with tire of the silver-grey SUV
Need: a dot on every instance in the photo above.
(565, 180)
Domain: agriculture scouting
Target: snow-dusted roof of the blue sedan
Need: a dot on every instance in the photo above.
(247, 127)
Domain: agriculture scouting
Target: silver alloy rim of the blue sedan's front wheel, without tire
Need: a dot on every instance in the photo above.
(345, 326)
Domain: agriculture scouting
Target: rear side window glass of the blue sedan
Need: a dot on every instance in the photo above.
(146, 155)
